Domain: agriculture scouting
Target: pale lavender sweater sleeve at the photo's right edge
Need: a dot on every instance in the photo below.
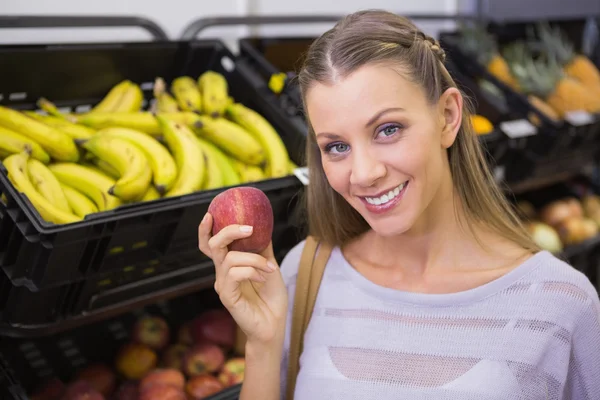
(583, 382)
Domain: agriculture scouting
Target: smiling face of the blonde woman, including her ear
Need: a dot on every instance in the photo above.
(383, 146)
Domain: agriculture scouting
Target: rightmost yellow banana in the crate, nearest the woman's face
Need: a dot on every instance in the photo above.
(276, 153)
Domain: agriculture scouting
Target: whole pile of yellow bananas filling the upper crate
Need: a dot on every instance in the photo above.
(193, 137)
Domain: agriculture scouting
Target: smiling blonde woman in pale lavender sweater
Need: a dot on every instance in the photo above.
(433, 289)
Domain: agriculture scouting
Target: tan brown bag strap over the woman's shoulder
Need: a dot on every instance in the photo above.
(310, 272)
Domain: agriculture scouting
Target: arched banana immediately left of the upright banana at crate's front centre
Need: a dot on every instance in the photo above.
(164, 168)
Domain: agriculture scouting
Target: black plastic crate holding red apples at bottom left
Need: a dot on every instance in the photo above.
(26, 364)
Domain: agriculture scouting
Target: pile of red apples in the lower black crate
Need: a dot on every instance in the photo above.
(157, 363)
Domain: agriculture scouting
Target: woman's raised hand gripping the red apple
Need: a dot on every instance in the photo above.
(249, 285)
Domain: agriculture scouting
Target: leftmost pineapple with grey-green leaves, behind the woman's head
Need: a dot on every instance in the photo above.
(478, 43)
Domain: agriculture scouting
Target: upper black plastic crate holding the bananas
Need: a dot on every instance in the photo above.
(39, 255)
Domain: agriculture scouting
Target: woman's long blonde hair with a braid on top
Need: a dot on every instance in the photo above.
(375, 36)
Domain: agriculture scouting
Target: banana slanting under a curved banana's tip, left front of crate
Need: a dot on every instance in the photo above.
(89, 181)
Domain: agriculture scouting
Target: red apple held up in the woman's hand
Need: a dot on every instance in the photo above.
(244, 205)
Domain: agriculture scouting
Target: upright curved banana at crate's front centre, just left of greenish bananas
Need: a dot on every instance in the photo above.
(191, 164)
